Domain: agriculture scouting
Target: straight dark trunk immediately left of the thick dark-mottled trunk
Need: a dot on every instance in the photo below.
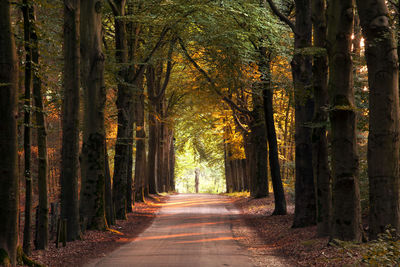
(70, 120)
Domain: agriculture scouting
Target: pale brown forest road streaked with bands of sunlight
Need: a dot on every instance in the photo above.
(190, 230)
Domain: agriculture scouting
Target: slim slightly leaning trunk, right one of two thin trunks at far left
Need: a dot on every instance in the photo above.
(43, 220)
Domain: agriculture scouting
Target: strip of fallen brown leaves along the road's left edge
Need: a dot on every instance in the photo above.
(95, 244)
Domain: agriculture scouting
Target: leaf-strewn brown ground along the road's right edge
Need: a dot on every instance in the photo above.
(267, 236)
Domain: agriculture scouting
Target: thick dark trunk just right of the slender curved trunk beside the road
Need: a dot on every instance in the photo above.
(304, 214)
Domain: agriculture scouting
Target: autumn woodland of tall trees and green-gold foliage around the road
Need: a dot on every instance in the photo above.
(105, 102)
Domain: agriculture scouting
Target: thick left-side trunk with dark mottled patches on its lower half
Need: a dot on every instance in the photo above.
(92, 208)
